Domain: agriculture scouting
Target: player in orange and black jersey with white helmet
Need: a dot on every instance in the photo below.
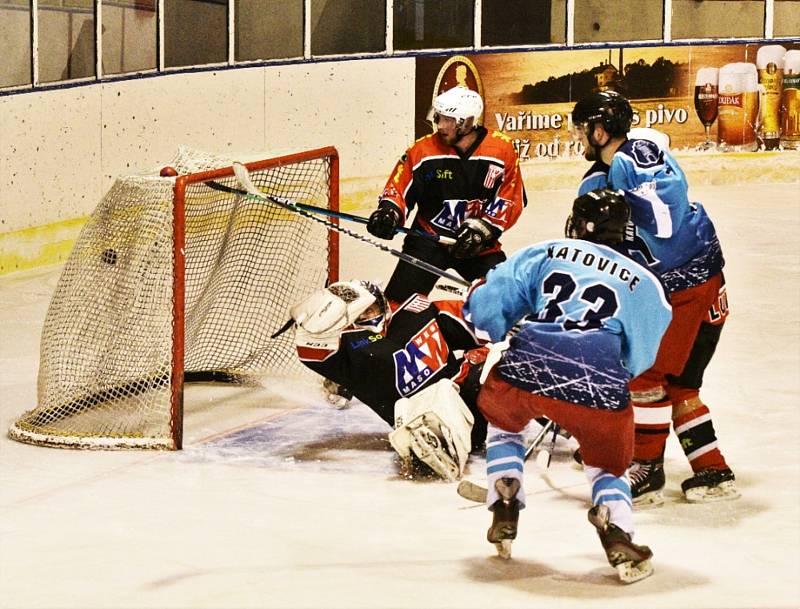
(466, 184)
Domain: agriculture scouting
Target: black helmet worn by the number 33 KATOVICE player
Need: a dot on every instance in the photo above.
(600, 216)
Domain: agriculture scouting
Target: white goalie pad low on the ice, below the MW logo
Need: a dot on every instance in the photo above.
(436, 425)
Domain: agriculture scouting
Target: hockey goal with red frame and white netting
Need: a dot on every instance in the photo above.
(175, 279)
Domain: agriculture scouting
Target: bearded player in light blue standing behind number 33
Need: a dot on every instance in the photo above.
(675, 238)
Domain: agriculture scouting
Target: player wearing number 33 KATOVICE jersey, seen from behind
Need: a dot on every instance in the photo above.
(590, 318)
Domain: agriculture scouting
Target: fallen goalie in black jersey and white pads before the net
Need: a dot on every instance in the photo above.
(408, 365)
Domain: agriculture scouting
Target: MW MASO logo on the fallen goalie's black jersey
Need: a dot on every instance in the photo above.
(424, 355)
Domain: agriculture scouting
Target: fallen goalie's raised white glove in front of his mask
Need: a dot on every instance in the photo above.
(321, 317)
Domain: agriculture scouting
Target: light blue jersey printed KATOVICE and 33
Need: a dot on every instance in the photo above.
(588, 317)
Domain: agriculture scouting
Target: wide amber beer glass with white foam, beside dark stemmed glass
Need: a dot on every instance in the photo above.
(738, 106)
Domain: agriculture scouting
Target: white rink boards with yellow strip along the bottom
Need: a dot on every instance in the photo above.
(61, 149)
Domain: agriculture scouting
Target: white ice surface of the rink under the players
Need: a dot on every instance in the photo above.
(279, 501)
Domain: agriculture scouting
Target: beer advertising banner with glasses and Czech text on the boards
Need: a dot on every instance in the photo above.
(727, 97)
